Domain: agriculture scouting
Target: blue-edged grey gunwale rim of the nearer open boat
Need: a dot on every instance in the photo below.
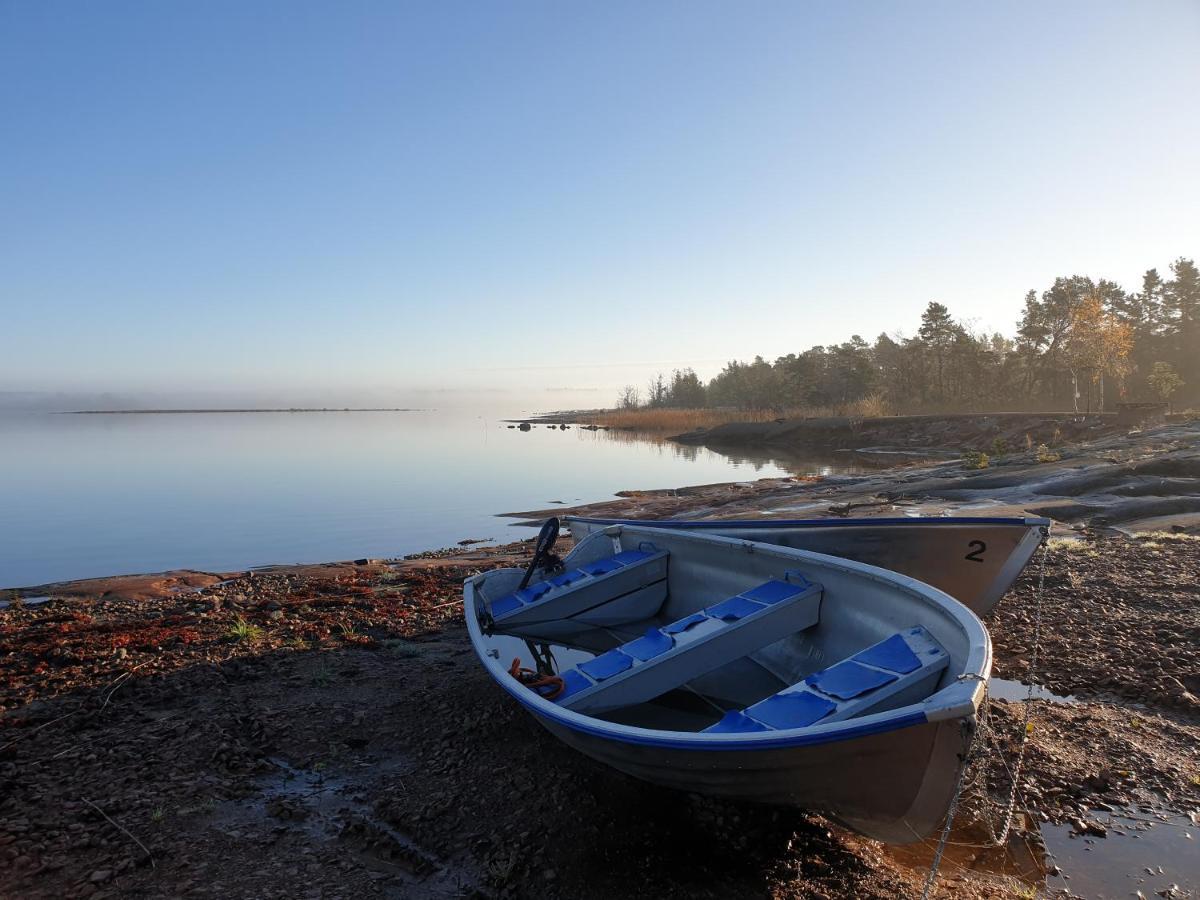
(976, 668)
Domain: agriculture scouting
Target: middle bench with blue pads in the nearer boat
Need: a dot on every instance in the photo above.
(668, 657)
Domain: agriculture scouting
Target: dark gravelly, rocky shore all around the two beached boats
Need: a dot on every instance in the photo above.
(326, 731)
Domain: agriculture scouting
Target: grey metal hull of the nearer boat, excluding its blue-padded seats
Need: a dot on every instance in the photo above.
(889, 773)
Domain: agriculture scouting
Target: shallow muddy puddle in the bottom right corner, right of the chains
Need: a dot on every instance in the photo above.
(1144, 854)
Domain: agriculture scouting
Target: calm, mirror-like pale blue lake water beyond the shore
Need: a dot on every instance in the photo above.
(83, 496)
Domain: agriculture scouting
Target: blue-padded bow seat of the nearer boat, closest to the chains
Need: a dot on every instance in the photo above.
(902, 670)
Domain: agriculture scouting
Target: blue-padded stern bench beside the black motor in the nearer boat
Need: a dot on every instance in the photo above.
(609, 591)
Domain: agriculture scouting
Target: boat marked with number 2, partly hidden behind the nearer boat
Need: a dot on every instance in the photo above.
(973, 559)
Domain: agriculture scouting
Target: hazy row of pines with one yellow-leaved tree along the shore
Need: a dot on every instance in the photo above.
(1081, 345)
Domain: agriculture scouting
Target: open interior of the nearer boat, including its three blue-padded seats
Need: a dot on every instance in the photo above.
(676, 632)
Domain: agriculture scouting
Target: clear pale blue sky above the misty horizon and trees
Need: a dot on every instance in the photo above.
(376, 200)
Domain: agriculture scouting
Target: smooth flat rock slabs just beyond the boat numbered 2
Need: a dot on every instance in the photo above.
(1130, 482)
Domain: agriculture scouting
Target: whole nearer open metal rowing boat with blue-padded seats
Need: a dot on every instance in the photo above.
(743, 670)
